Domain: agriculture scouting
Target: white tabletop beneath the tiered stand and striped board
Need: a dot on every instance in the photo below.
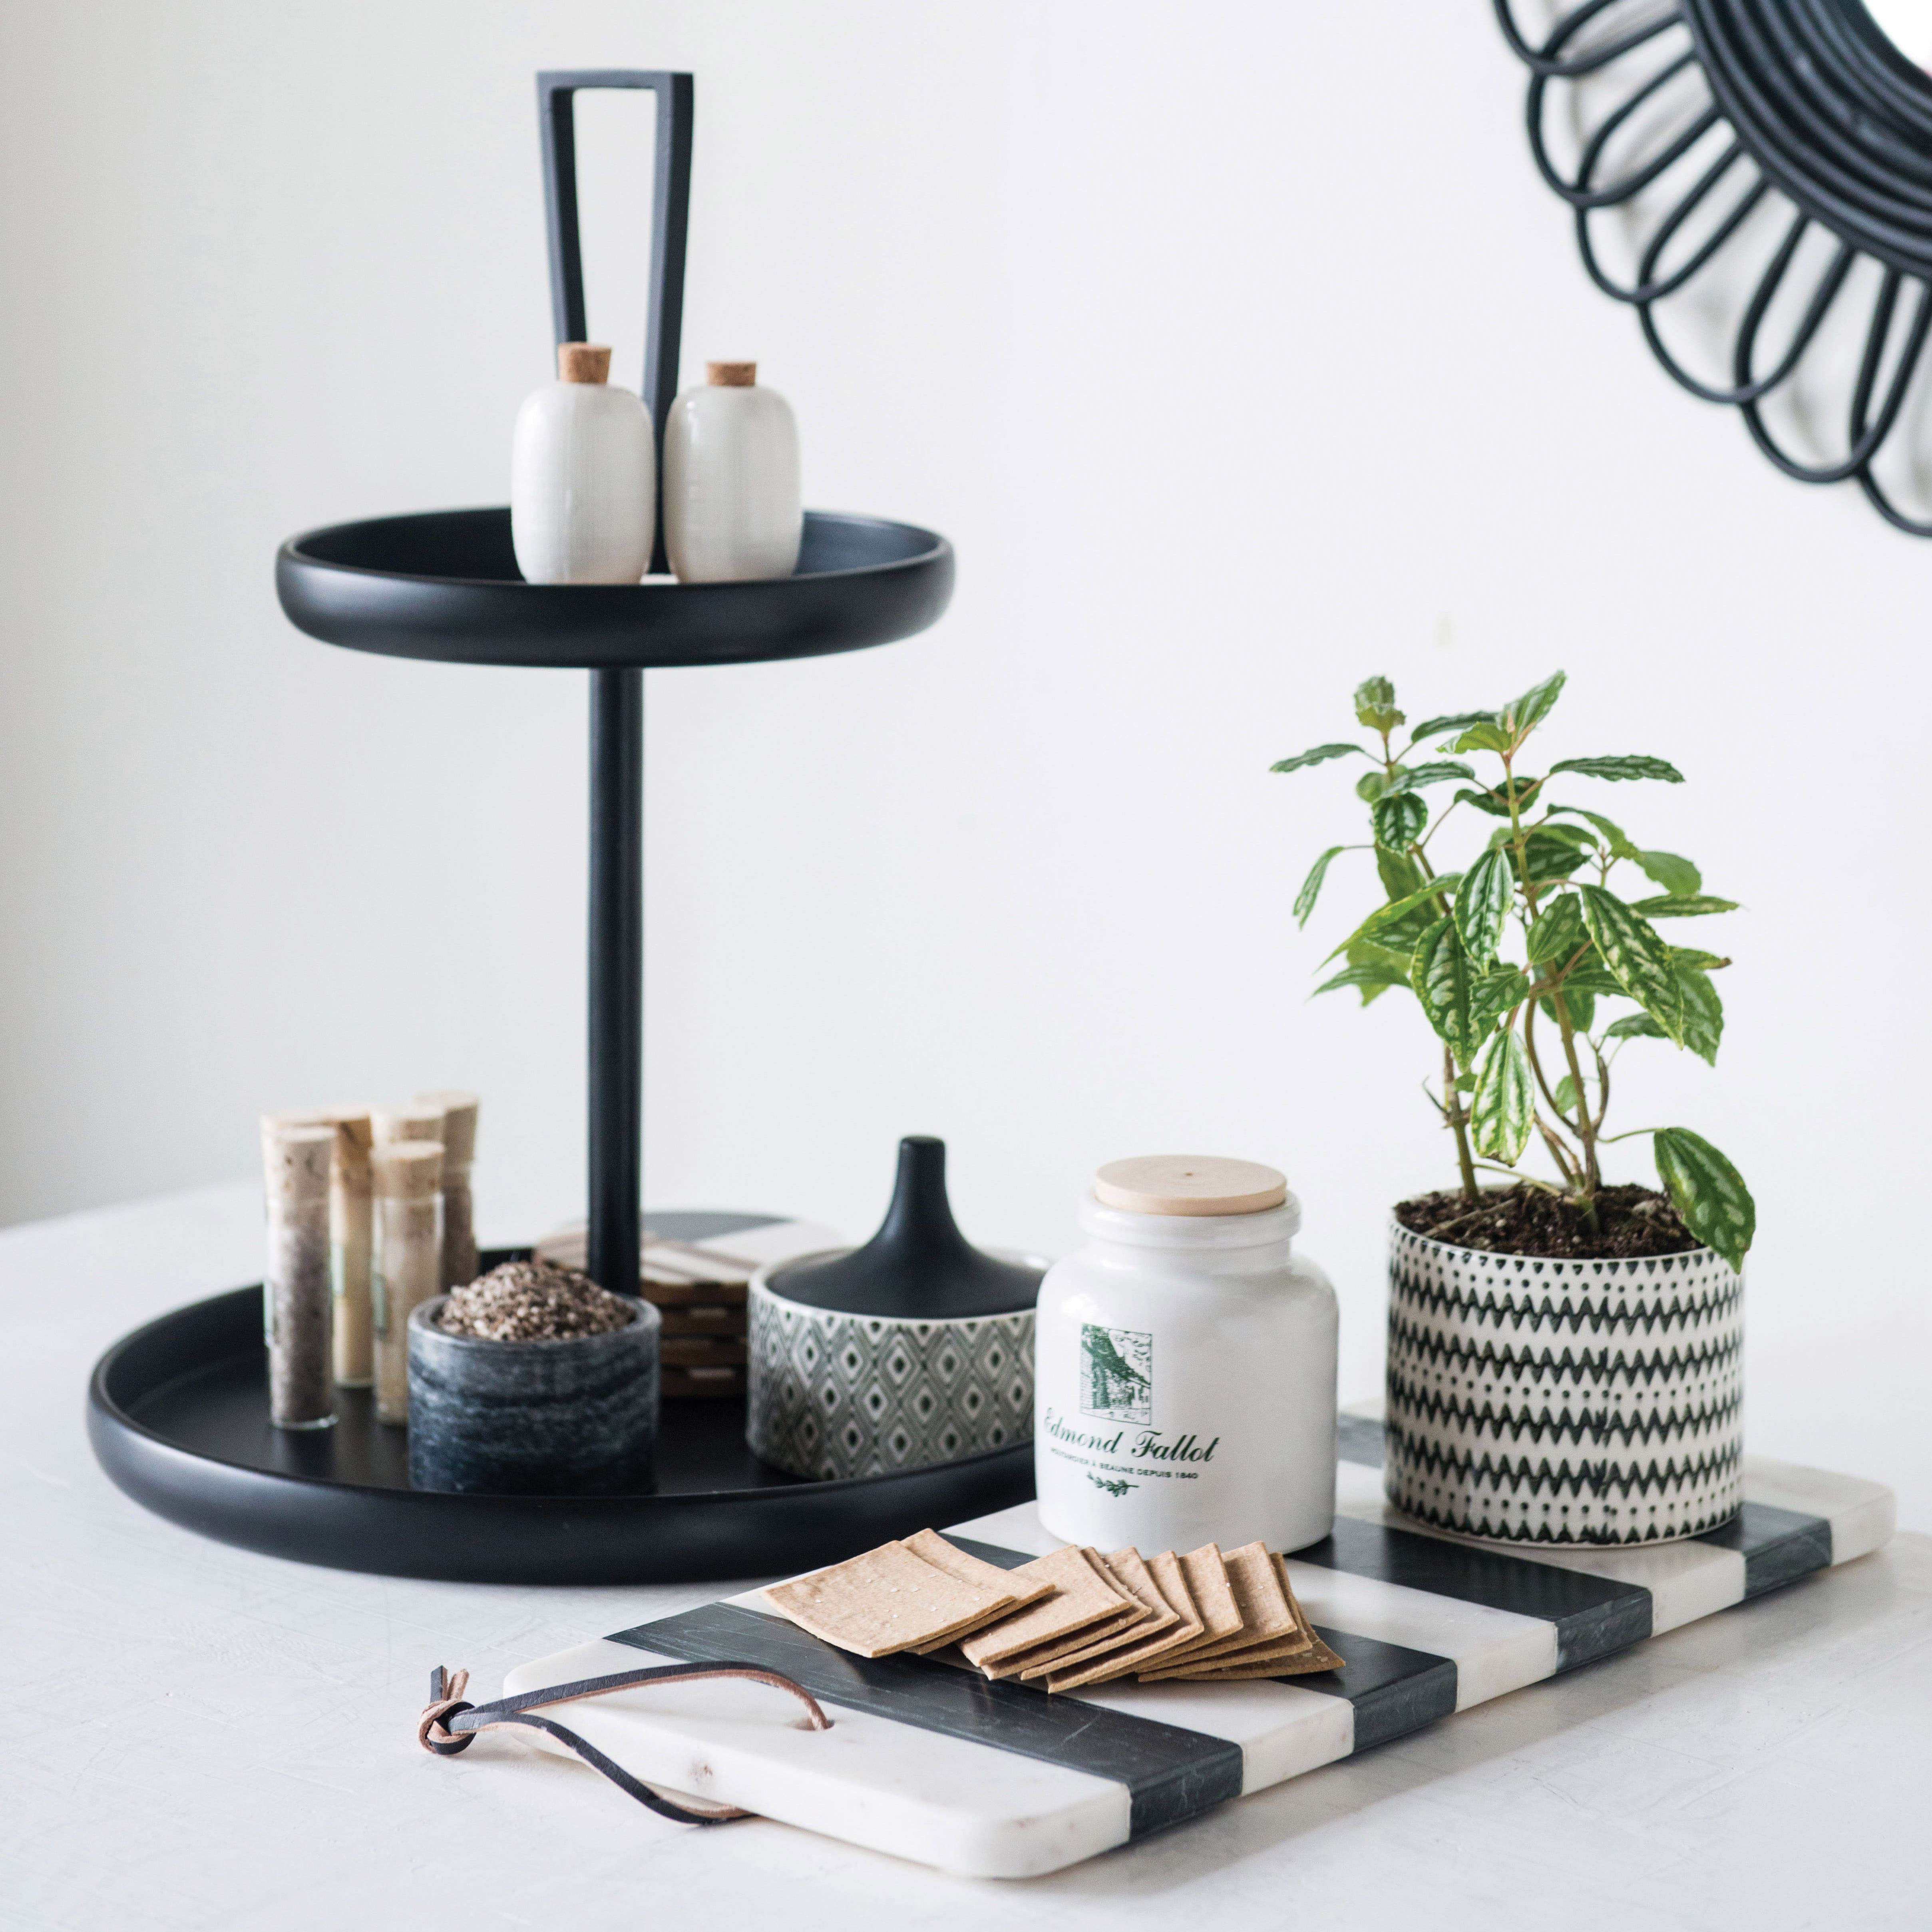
(202, 1738)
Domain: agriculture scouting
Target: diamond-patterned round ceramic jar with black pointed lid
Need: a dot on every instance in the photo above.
(915, 1350)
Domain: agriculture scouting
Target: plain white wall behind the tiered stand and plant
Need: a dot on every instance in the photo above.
(1241, 355)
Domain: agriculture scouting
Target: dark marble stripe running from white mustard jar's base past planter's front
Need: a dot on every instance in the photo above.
(1595, 1616)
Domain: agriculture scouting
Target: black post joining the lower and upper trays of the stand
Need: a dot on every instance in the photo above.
(615, 1071)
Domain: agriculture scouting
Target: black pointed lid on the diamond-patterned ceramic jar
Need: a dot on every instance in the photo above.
(919, 1266)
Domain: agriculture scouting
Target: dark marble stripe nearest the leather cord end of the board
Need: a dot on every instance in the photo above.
(1170, 1775)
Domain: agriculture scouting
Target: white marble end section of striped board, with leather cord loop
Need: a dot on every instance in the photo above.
(946, 1802)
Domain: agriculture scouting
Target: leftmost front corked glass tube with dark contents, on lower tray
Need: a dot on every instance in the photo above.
(297, 1290)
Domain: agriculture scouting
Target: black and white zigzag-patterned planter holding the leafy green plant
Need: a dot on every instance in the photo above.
(1564, 1402)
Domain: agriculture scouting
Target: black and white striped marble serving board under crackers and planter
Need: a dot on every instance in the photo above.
(1000, 1780)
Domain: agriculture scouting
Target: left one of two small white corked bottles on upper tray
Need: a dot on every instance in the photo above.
(582, 476)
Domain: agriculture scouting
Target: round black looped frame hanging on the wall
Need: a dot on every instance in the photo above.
(1769, 165)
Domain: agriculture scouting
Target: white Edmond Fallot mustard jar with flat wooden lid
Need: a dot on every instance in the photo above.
(1185, 1365)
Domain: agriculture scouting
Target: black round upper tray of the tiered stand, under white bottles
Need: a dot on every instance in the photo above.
(445, 586)
